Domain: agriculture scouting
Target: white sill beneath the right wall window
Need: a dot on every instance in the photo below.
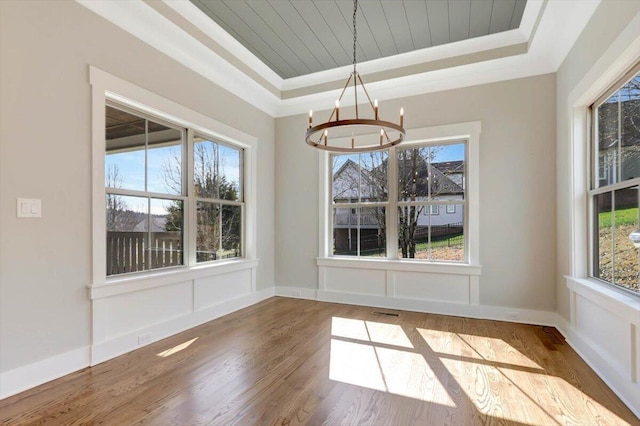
(625, 305)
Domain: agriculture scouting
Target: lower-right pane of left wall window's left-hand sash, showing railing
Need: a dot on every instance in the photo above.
(166, 223)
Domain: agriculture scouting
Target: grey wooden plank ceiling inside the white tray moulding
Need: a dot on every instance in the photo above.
(298, 37)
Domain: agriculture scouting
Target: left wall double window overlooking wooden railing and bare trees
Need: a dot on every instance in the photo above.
(150, 195)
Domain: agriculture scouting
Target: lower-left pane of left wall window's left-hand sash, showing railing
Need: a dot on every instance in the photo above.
(127, 233)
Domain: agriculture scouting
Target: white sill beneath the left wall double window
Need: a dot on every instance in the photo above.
(147, 280)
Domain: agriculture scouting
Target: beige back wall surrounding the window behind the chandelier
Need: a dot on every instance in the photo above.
(517, 187)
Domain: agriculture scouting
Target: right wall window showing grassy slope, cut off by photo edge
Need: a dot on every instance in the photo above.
(613, 195)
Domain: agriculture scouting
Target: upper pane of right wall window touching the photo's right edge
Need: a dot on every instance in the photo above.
(630, 138)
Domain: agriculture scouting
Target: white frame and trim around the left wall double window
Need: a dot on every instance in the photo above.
(107, 88)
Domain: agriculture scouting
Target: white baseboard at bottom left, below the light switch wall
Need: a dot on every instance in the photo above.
(43, 371)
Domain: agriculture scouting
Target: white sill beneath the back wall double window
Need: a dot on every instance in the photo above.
(401, 265)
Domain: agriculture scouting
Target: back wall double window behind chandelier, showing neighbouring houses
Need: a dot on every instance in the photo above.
(401, 220)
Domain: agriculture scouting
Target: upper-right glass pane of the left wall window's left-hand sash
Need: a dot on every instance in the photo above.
(164, 160)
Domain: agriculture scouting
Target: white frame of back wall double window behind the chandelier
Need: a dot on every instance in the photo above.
(468, 131)
